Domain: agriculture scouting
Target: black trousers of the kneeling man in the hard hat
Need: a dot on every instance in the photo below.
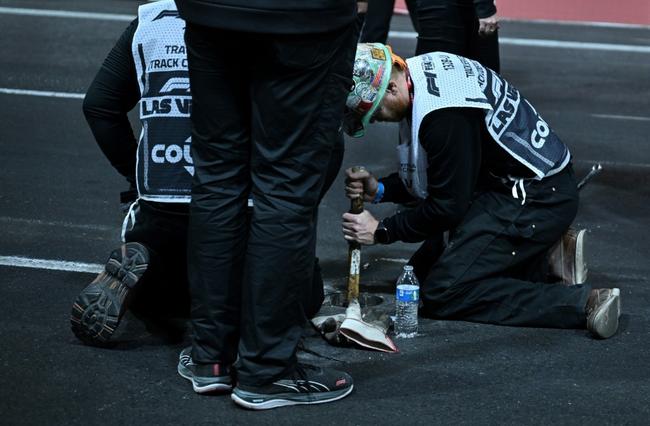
(493, 267)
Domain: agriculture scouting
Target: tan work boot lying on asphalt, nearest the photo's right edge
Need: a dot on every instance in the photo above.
(603, 310)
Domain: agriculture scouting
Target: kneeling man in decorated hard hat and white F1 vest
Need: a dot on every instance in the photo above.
(490, 189)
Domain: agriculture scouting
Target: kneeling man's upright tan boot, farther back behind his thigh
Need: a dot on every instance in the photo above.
(566, 258)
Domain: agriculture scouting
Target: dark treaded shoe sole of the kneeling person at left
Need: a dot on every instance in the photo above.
(97, 311)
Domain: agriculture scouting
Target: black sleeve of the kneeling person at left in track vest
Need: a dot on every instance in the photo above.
(112, 94)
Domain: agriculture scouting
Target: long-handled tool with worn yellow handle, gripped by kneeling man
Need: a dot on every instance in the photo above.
(353, 327)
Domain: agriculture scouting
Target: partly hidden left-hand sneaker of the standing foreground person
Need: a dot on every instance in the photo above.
(204, 377)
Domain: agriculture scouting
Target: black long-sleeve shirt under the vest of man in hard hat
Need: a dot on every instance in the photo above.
(459, 153)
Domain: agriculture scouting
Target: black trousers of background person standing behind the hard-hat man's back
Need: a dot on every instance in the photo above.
(452, 26)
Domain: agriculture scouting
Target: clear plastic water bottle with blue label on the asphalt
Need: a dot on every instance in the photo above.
(407, 298)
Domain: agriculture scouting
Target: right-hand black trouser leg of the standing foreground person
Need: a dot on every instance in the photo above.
(300, 85)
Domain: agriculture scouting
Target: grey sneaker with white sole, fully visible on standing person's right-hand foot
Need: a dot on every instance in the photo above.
(307, 385)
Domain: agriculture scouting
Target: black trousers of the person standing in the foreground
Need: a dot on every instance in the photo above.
(266, 113)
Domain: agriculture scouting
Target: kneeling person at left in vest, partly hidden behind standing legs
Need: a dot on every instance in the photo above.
(147, 69)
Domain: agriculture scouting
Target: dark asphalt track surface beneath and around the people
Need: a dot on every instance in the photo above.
(59, 201)
